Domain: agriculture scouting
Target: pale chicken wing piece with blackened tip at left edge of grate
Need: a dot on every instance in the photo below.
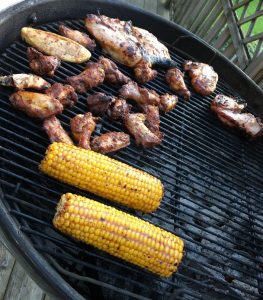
(24, 81)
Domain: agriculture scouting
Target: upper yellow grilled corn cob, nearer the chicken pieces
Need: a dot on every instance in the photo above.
(103, 176)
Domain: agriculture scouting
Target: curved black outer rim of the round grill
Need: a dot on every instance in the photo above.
(33, 261)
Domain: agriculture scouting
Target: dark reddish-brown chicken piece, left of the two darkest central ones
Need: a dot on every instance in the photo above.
(98, 103)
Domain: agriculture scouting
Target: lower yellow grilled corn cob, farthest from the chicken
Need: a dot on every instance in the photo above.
(119, 234)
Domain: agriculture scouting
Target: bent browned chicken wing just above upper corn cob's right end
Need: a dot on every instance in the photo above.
(142, 134)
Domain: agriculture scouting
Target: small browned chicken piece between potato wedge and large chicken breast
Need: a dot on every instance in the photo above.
(77, 36)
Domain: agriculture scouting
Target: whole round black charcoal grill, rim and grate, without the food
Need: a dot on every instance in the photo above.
(212, 177)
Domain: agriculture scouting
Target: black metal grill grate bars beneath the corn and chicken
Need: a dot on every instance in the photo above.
(213, 196)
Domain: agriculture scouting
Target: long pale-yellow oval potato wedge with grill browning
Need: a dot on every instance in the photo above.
(54, 44)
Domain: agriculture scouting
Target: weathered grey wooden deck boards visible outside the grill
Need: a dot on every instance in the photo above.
(15, 284)
